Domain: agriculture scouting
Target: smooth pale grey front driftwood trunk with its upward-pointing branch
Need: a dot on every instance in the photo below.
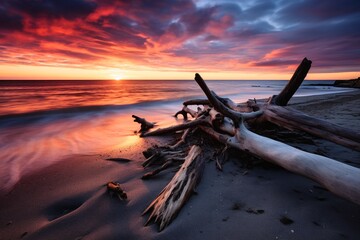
(337, 177)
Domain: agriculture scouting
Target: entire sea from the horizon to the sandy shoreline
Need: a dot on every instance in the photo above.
(41, 122)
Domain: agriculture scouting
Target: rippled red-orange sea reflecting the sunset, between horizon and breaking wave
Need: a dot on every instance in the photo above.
(33, 96)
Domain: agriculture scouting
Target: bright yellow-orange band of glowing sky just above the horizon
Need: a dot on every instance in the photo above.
(21, 72)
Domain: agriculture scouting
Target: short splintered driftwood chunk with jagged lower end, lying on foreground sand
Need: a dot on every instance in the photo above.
(169, 202)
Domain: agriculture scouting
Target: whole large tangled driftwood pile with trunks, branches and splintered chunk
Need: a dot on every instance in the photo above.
(226, 122)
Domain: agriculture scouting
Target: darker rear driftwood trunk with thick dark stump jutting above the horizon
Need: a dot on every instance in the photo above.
(291, 119)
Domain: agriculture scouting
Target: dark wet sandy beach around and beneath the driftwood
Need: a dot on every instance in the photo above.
(68, 200)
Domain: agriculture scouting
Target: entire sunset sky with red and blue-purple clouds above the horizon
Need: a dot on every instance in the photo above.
(150, 39)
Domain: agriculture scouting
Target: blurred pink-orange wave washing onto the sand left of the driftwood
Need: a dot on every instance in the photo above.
(31, 141)
